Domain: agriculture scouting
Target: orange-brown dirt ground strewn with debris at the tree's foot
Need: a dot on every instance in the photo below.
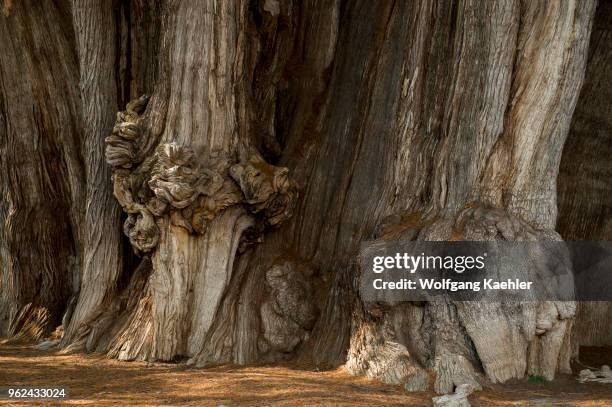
(95, 380)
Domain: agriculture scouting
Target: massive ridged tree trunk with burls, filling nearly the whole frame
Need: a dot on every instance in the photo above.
(276, 137)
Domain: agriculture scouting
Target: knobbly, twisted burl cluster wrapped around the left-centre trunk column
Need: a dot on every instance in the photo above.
(191, 189)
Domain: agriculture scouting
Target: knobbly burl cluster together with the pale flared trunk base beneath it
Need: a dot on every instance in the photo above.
(187, 213)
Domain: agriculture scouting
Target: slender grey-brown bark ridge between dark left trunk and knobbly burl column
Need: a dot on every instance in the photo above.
(96, 38)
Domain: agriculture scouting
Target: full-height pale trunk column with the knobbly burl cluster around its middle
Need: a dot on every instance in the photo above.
(184, 172)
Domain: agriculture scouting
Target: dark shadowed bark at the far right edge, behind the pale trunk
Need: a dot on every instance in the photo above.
(585, 177)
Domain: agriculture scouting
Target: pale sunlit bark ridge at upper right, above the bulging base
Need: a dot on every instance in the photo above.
(553, 42)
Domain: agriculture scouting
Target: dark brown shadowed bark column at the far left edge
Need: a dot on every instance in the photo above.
(42, 167)
